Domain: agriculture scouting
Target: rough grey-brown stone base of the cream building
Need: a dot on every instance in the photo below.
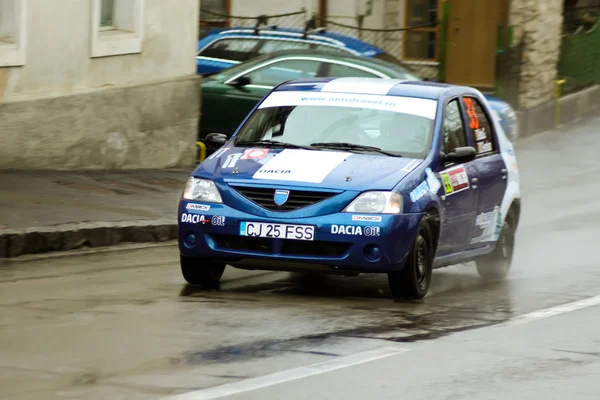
(152, 125)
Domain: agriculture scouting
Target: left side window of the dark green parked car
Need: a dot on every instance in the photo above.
(282, 71)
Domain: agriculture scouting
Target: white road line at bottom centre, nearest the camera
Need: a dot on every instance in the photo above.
(289, 375)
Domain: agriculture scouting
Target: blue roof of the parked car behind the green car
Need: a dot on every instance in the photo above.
(333, 38)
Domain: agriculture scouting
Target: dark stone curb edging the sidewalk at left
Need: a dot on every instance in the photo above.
(80, 235)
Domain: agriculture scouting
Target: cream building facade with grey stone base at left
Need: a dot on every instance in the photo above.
(98, 84)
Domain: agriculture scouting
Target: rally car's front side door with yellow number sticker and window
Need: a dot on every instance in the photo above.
(459, 196)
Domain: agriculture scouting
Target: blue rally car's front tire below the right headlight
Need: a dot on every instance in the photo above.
(412, 281)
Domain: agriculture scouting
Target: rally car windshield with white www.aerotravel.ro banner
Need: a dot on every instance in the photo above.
(399, 125)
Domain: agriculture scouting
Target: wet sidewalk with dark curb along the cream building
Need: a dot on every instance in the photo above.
(43, 211)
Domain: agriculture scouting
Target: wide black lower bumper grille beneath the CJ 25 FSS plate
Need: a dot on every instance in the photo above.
(300, 248)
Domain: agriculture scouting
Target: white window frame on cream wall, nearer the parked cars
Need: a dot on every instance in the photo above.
(128, 33)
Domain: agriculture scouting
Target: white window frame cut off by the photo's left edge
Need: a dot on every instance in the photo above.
(13, 53)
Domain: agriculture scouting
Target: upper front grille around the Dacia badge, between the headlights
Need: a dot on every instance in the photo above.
(264, 197)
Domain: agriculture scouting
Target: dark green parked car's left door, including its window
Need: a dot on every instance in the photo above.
(238, 102)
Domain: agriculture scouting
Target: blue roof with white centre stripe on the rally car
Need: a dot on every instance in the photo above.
(369, 86)
